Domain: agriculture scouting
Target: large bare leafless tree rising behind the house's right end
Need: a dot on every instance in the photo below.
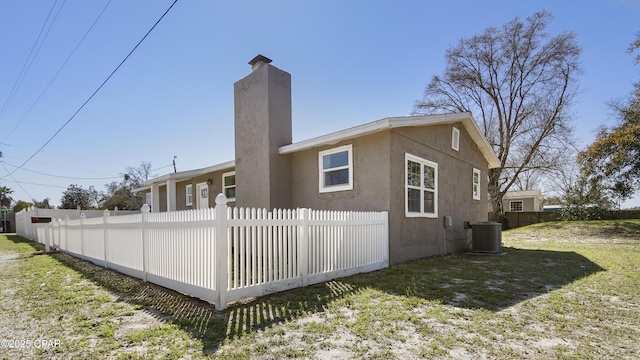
(520, 83)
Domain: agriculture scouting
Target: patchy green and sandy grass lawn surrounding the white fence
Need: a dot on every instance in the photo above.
(562, 290)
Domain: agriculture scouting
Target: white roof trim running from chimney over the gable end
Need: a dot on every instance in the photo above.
(395, 122)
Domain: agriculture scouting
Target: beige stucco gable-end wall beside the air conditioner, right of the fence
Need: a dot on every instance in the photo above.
(412, 238)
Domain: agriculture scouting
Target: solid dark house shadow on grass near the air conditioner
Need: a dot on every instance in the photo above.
(492, 282)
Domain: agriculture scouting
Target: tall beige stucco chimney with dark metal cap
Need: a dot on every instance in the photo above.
(262, 125)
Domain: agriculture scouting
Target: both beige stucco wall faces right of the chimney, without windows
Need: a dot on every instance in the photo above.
(379, 185)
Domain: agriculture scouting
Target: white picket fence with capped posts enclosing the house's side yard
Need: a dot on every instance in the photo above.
(226, 254)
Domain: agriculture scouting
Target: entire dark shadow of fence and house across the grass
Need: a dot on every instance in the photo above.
(461, 280)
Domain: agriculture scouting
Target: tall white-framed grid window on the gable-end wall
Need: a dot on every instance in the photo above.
(421, 187)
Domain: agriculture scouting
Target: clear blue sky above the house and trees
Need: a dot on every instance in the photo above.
(351, 62)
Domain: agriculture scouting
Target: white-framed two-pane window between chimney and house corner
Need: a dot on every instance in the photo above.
(336, 169)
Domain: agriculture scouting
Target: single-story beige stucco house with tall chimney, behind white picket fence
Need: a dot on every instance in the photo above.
(429, 172)
